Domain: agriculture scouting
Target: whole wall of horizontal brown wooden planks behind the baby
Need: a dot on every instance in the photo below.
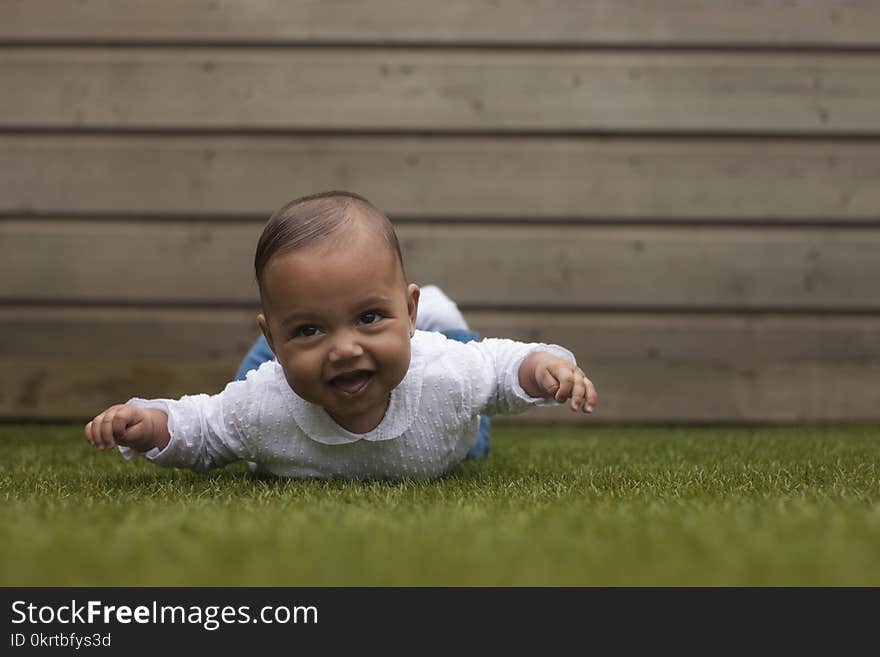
(684, 192)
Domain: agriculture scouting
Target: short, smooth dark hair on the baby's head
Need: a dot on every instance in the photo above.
(311, 219)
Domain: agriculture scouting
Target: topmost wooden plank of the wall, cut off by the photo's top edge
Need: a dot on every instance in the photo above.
(548, 22)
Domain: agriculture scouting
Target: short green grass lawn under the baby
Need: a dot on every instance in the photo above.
(551, 506)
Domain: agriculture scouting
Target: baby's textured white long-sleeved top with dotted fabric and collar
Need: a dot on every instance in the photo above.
(431, 421)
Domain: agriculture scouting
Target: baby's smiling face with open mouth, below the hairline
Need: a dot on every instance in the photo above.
(339, 317)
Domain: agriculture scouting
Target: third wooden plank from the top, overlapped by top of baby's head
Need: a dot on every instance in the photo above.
(529, 178)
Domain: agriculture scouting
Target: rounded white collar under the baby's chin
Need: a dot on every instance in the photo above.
(403, 407)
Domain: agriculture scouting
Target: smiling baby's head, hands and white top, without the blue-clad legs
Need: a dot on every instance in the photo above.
(354, 391)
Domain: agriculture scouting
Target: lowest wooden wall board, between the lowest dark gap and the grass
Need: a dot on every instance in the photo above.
(71, 363)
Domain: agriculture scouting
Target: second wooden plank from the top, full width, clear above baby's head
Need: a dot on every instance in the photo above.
(439, 90)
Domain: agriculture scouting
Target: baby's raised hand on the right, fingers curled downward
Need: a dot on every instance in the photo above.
(560, 380)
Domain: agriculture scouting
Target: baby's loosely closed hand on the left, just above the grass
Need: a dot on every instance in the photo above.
(131, 426)
